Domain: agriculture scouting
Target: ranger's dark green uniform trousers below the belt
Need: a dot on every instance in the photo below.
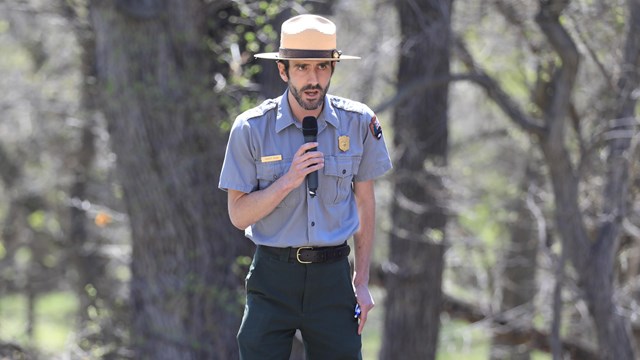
(283, 296)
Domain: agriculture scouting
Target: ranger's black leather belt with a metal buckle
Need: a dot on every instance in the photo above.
(309, 254)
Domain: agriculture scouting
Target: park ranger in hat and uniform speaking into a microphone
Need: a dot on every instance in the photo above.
(300, 277)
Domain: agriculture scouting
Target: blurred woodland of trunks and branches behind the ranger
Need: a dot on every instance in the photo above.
(508, 229)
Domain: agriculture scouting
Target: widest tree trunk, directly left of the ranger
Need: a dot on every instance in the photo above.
(153, 69)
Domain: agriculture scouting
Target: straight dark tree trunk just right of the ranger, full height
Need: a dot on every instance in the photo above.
(417, 240)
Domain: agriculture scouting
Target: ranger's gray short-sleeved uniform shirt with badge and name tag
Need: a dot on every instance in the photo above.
(261, 146)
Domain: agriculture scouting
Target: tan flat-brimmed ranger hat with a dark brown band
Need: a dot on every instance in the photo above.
(308, 37)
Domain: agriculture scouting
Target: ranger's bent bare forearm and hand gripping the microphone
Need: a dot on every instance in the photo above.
(248, 208)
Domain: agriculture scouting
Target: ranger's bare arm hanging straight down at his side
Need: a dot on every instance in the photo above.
(363, 239)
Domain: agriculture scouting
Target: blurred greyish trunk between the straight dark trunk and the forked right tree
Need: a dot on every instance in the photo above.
(517, 278)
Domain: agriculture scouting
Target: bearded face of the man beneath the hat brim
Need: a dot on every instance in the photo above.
(308, 81)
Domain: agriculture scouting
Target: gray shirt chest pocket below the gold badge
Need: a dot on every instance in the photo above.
(335, 186)
